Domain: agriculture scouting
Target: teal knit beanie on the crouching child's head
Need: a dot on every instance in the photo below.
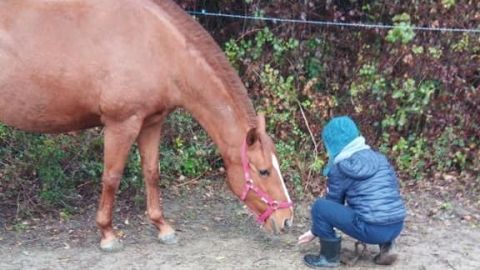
(339, 132)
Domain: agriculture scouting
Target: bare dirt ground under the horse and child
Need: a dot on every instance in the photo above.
(216, 232)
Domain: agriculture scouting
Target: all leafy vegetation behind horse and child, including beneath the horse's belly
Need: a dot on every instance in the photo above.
(415, 95)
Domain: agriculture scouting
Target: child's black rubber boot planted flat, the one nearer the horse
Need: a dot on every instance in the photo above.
(329, 254)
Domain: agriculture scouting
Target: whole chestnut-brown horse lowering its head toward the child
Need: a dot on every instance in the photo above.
(125, 65)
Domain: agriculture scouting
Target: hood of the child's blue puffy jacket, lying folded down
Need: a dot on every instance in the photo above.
(361, 165)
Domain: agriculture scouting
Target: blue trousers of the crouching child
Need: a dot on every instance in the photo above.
(327, 215)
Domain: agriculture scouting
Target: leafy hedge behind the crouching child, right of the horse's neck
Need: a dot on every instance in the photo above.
(414, 93)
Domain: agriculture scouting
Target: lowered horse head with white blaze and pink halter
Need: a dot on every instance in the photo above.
(262, 188)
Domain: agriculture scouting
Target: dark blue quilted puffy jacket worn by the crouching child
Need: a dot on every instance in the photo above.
(367, 183)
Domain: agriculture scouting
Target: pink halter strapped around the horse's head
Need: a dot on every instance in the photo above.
(249, 185)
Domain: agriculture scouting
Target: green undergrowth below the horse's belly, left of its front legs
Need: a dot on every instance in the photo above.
(48, 170)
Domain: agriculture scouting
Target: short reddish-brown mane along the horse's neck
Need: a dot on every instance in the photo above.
(213, 54)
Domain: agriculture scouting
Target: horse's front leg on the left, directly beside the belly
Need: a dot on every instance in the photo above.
(119, 137)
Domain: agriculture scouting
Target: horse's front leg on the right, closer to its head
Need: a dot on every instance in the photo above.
(148, 145)
